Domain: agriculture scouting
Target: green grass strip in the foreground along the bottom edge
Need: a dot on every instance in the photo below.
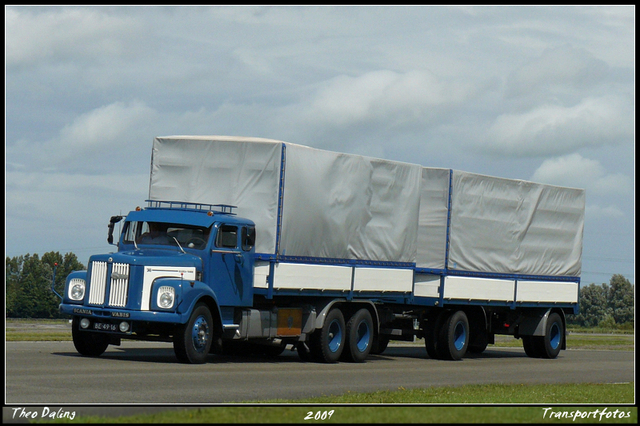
(492, 404)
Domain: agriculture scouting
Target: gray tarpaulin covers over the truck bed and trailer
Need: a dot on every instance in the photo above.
(343, 206)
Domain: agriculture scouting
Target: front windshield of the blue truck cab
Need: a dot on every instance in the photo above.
(161, 233)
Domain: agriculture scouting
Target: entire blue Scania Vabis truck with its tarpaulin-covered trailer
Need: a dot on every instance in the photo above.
(269, 244)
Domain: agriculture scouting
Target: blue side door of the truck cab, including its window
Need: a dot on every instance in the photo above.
(231, 265)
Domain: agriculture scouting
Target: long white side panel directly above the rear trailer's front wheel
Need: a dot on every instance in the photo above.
(468, 288)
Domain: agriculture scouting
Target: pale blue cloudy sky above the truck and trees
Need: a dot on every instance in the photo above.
(541, 93)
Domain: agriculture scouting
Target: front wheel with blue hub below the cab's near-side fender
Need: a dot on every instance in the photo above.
(192, 341)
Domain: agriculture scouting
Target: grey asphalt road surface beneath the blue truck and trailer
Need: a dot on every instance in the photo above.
(49, 373)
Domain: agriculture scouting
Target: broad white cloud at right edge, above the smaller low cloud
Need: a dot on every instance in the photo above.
(556, 129)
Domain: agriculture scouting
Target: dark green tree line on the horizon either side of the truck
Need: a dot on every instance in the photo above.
(29, 295)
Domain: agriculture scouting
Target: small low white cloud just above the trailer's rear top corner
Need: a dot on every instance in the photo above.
(579, 172)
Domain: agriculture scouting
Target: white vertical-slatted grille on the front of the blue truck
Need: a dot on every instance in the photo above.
(117, 284)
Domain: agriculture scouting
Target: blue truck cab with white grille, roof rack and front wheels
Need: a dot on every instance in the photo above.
(179, 272)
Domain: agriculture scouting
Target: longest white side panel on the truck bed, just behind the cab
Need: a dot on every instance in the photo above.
(312, 277)
